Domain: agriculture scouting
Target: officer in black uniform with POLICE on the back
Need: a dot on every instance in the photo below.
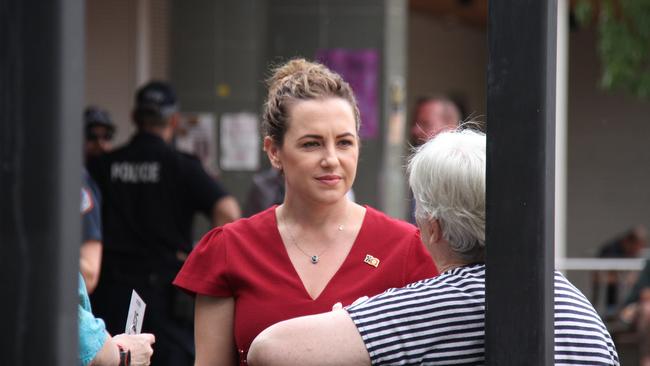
(150, 193)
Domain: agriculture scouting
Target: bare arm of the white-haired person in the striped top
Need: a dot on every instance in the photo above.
(322, 339)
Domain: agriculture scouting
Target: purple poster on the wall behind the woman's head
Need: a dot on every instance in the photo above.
(360, 68)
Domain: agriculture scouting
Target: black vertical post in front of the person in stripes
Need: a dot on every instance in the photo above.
(520, 182)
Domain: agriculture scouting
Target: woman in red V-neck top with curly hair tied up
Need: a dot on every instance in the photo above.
(314, 250)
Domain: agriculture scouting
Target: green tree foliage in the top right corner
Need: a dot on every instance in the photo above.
(623, 44)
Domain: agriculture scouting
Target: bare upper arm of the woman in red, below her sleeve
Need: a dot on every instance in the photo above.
(213, 331)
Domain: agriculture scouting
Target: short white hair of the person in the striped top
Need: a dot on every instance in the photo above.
(447, 177)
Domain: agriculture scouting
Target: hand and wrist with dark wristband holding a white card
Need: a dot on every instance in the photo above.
(138, 344)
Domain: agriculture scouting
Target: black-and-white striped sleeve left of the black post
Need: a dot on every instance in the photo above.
(434, 321)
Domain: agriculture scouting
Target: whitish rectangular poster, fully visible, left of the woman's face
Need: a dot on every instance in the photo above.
(239, 141)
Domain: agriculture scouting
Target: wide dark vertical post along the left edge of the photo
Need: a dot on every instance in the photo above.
(41, 96)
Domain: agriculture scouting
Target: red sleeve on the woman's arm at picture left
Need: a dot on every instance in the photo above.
(205, 271)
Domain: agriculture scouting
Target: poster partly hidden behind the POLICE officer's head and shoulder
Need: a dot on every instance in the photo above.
(196, 135)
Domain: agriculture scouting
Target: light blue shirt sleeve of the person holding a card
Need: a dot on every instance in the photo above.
(92, 331)
